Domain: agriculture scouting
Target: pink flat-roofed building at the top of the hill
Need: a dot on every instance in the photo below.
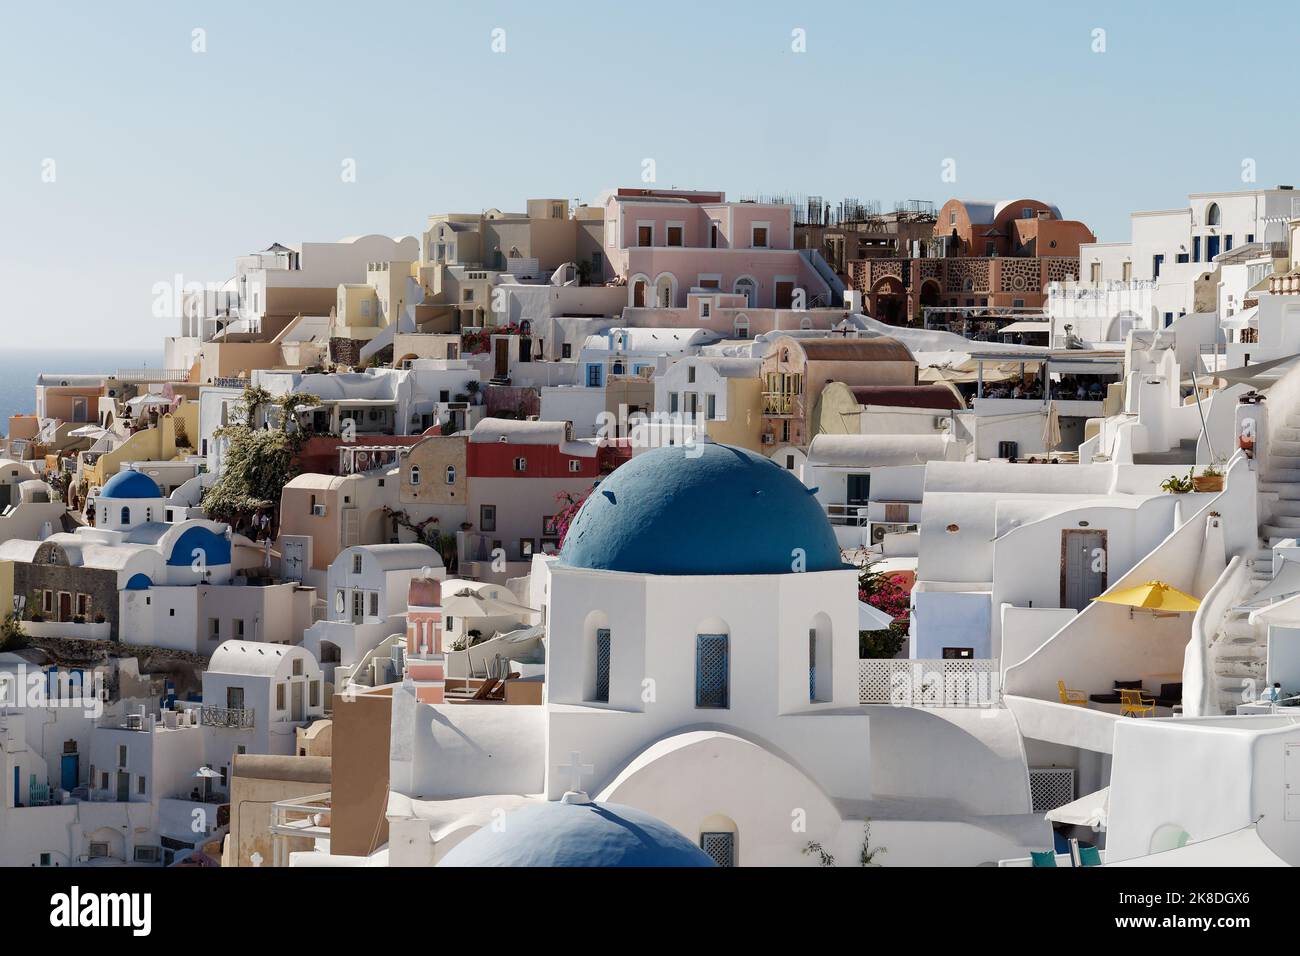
(669, 243)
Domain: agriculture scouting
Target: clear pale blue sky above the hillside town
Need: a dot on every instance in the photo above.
(168, 161)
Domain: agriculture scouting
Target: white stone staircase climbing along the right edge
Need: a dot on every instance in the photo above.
(1241, 651)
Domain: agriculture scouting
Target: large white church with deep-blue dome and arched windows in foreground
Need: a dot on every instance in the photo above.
(701, 669)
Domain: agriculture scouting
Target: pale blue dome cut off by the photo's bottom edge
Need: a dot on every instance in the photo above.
(560, 834)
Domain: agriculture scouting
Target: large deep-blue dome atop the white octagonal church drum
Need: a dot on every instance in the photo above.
(701, 511)
